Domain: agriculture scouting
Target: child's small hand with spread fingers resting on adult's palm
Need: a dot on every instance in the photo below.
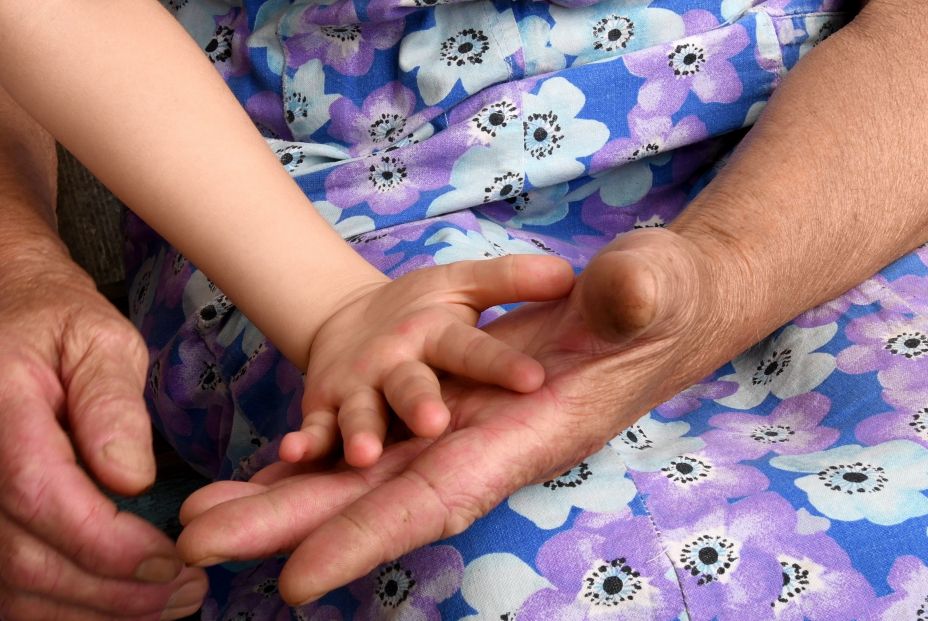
(378, 350)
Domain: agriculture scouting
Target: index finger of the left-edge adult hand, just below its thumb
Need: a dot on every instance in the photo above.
(44, 491)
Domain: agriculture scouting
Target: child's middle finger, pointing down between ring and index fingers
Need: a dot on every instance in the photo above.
(415, 395)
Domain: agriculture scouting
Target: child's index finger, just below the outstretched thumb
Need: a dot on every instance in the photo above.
(471, 352)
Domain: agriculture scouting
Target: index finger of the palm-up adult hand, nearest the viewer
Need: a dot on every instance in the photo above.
(458, 479)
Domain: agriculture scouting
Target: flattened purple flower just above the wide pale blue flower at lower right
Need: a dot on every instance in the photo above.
(792, 428)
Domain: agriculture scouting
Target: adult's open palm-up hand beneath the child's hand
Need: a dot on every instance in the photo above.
(632, 333)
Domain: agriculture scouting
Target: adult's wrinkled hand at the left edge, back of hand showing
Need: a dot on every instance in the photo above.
(72, 372)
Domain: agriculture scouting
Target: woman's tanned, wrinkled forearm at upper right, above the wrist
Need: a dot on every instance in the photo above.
(830, 186)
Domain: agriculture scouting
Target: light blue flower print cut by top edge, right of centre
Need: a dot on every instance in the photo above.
(611, 28)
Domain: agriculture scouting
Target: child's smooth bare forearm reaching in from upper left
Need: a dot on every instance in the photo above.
(122, 86)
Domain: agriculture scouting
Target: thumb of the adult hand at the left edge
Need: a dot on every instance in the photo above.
(103, 368)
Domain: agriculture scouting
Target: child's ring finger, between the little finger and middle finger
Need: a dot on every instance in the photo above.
(362, 419)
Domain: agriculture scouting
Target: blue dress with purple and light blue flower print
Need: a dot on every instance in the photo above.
(791, 484)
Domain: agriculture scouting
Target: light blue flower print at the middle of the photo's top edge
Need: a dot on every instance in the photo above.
(461, 46)
